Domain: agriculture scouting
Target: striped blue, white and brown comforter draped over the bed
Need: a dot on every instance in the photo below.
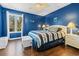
(42, 37)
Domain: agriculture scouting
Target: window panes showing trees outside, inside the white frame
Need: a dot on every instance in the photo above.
(15, 23)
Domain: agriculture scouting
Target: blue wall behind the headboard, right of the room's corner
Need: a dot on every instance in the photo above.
(61, 16)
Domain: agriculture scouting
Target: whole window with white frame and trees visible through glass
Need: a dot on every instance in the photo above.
(14, 23)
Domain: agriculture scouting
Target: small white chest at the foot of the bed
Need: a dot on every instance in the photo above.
(26, 41)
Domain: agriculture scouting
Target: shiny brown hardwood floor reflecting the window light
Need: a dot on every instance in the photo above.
(15, 48)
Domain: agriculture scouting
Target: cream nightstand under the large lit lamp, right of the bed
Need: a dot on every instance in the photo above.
(72, 40)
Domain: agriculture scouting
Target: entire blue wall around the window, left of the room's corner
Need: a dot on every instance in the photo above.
(31, 22)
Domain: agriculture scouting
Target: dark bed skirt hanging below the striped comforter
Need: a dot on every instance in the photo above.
(48, 45)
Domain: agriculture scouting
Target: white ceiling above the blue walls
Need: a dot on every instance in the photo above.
(31, 8)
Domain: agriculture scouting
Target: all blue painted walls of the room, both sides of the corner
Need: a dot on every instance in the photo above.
(32, 21)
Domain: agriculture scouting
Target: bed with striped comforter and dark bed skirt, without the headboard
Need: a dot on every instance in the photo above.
(45, 39)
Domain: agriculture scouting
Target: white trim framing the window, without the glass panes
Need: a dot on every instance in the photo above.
(8, 32)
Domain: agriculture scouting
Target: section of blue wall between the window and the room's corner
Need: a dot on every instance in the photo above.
(31, 22)
